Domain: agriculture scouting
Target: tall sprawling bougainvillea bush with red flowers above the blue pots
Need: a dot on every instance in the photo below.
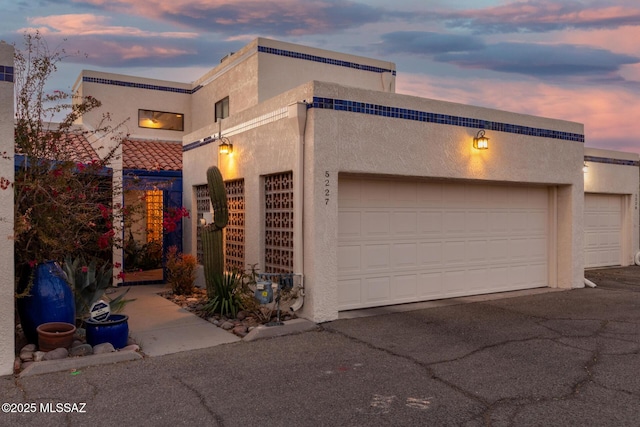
(63, 191)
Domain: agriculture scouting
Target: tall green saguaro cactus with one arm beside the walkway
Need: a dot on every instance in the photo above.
(212, 244)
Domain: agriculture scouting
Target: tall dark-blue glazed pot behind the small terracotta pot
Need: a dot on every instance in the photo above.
(50, 299)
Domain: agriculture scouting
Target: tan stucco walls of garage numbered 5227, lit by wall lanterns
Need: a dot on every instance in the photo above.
(338, 142)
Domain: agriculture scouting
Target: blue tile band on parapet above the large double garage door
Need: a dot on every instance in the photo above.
(424, 116)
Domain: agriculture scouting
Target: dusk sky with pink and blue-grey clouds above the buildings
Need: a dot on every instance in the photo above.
(576, 60)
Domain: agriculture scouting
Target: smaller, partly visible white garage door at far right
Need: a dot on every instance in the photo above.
(602, 229)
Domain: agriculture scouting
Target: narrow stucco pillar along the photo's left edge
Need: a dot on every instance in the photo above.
(7, 315)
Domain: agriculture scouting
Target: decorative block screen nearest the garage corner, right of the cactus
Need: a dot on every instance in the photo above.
(278, 223)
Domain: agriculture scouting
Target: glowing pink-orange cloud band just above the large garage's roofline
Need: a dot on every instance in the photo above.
(609, 114)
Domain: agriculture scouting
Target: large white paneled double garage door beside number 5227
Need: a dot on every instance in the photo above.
(406, 241)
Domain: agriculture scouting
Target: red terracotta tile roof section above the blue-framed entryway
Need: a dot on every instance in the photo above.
(152, 155)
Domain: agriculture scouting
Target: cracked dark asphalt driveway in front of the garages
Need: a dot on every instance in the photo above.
(568, 358)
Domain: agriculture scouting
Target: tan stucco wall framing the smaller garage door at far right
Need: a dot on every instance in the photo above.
(609, 178)
